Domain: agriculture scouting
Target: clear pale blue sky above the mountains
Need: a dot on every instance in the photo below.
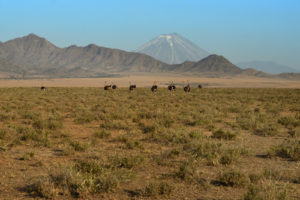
(241, 30)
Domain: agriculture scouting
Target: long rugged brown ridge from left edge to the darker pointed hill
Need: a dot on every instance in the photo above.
(41, 57)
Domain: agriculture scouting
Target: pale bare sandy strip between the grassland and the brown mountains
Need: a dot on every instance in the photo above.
(161, 80)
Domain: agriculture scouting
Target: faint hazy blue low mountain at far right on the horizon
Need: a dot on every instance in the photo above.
(267, 66)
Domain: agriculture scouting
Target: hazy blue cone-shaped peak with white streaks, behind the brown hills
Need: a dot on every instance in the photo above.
(172, 49)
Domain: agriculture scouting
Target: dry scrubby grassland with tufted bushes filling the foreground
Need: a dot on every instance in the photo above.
(87, 143)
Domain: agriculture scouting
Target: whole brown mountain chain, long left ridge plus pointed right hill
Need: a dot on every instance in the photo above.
(35, 57)
